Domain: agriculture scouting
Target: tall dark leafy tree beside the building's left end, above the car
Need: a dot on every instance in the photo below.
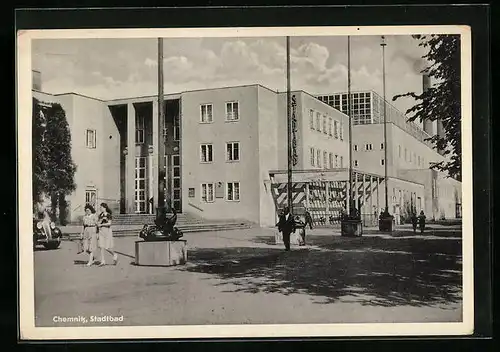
(53, 167)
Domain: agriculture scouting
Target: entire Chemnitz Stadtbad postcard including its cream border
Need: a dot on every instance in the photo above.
(269, 182)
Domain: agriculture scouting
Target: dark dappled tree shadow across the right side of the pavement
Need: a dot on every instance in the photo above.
(368, 270)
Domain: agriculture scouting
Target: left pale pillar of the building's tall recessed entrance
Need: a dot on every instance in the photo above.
(130, 172)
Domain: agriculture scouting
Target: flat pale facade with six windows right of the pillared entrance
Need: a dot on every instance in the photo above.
(246, 171)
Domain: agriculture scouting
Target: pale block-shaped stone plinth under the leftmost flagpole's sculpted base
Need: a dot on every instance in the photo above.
(161, 253)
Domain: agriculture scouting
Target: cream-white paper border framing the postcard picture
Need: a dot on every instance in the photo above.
(26, 280)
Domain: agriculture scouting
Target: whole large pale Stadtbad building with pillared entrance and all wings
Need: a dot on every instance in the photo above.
(224, 149)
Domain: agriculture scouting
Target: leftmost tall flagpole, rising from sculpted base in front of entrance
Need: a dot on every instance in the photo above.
(161, 125)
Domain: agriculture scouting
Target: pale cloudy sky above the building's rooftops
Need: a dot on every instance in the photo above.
(121, 68)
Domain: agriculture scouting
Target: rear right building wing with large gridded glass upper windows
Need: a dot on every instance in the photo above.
(412, 183)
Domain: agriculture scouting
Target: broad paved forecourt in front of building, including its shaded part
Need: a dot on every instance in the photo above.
(240, 276)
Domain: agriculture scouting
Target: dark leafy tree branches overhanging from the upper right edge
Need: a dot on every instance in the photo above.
(443, 100)
